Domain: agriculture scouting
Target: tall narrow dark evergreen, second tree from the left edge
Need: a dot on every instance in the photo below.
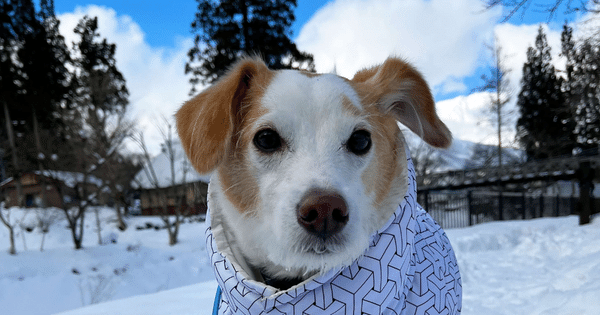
(44, 57)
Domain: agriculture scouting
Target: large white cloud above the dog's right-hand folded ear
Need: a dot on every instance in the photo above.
(442, 38)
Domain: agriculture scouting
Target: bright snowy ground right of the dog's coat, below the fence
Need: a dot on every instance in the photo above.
(543, 266)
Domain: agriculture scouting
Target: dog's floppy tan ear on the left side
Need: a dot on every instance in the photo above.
(207, 123)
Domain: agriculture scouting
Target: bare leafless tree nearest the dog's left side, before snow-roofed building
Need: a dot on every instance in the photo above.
(167, 192)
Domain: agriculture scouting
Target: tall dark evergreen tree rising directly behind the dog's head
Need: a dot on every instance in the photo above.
(229, 29)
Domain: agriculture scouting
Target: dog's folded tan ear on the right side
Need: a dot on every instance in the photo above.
(398, 88)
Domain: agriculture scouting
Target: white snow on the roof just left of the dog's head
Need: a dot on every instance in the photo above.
(162, 168)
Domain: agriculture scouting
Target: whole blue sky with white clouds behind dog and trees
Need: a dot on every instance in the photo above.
(445, 39)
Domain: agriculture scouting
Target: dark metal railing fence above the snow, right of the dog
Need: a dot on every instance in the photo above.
(456, 209)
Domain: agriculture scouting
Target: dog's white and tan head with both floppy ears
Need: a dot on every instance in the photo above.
(306, 167)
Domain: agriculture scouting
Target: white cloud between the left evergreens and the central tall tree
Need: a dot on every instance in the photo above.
(155, 78)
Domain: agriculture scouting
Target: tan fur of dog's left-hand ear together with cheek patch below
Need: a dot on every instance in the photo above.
(212, 127)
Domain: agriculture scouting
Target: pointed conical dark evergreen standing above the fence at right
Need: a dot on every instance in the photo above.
(544, 128)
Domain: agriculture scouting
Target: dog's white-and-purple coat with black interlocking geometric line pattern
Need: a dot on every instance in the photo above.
(409, 268)
